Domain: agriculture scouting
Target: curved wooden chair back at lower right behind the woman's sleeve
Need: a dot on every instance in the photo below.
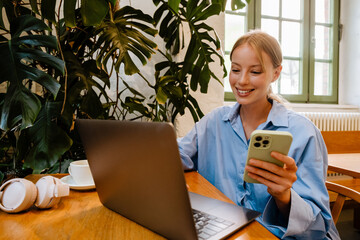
(342, 193)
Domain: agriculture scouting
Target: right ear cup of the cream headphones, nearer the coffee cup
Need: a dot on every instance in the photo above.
(48, 191)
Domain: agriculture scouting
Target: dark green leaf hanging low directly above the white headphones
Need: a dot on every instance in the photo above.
(49, 141)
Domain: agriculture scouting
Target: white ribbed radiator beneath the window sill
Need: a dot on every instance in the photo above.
(335, 121)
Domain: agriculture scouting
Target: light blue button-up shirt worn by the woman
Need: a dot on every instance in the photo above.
(217, 148)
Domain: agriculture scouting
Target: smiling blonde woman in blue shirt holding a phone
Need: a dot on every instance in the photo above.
(293, 199)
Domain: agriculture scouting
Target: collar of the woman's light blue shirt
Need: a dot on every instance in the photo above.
(276, 115)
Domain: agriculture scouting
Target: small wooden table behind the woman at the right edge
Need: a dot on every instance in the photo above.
(346, 163)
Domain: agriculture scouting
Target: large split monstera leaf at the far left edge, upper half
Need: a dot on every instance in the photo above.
(19, 58)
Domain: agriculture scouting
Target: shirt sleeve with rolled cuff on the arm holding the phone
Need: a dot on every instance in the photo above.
(309, 216)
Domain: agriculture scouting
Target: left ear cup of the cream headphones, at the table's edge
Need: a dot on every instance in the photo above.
(17, 195)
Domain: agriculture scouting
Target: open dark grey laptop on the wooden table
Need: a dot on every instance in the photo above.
(138, 173)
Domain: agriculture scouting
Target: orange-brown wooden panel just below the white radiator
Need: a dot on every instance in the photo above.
(342, 141)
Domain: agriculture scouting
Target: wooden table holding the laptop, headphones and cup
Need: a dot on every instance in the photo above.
(82, 216)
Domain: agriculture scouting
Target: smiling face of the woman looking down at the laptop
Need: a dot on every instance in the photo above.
(248, 80)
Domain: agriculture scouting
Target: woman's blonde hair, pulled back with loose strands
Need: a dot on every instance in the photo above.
(263, 42)
